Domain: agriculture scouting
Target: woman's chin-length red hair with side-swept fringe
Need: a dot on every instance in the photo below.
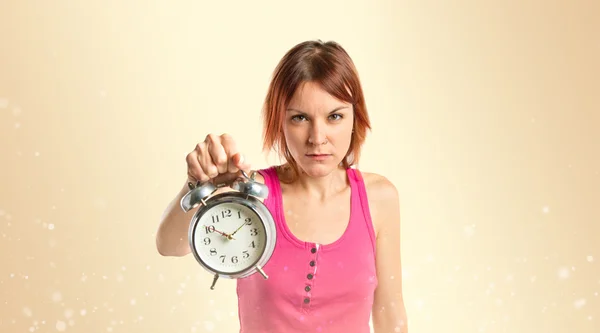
(329, 65)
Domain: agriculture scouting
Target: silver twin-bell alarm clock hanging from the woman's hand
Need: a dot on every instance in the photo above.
(232, 234)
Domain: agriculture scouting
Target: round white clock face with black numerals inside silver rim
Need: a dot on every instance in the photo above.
(229, 237)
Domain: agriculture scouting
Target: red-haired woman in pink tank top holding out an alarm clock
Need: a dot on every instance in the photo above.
(337, 258)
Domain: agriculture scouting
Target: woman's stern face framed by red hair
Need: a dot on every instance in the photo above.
(317, 129)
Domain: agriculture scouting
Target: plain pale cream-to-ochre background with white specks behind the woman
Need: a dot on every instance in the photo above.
(485, 116)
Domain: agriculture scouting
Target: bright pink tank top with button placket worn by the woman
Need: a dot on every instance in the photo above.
(313, 287)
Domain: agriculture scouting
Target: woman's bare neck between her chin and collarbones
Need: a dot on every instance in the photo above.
(320, 188)
